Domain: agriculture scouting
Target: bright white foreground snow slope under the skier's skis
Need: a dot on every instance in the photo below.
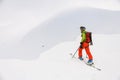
(57, 64)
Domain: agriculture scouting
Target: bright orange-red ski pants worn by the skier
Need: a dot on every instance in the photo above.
(86, 47)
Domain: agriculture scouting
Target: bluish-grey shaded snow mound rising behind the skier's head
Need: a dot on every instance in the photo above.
(65, 27)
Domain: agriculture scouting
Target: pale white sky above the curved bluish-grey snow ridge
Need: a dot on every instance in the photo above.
(17, 17)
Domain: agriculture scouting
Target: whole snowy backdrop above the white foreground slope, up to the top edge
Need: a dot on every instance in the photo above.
(51, 20)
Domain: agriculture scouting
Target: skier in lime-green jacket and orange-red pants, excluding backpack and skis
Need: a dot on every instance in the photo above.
(84, 45)
